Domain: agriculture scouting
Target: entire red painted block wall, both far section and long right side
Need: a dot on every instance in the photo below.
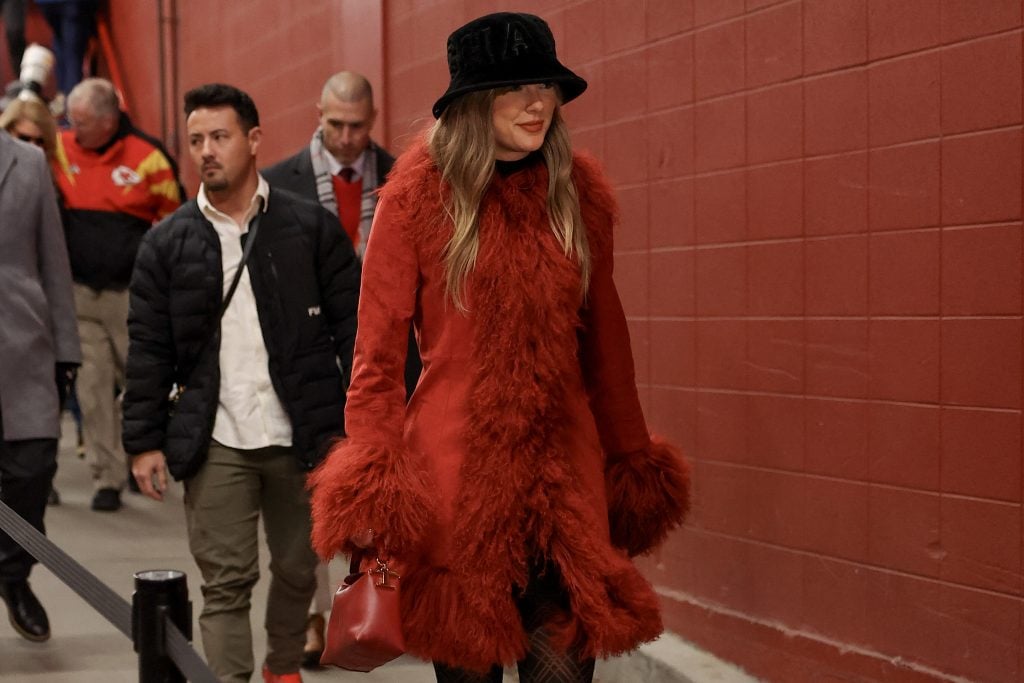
(821, 261)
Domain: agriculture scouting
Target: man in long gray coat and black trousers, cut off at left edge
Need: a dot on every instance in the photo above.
(39, 351)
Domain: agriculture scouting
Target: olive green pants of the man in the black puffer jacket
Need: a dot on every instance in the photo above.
(224, 504)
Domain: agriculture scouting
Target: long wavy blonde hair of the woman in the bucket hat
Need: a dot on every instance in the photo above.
(462, 144)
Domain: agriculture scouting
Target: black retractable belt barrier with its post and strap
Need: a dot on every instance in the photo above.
(115, 609)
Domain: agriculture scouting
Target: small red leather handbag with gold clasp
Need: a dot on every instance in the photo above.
(365, 630)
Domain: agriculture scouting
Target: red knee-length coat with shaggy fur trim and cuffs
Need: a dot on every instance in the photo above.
(525, 438)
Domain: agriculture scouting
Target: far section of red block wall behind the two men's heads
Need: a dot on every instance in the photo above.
(279, 53)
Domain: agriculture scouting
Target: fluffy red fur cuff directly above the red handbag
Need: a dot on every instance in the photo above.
(361, 487)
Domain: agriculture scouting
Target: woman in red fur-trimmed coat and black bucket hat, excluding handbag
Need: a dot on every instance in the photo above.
(521, 479)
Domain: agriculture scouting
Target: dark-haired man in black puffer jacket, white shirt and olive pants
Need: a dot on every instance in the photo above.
(260, 382)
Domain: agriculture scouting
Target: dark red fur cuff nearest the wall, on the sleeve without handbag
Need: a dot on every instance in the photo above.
(649, 496)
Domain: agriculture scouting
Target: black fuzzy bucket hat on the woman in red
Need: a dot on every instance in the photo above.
(501, 50)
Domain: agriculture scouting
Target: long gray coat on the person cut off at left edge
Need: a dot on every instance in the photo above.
(37, 310)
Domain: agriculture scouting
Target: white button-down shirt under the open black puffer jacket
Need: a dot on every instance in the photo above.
(249, 413)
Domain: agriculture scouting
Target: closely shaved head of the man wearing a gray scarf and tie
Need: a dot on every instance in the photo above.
(347, 116)
